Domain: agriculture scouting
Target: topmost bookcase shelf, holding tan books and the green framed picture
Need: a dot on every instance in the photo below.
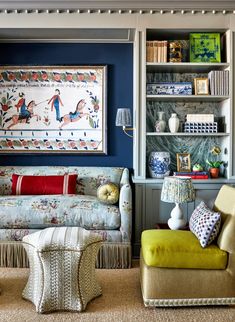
(185, 67)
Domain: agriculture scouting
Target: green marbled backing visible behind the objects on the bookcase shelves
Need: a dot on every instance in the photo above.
(198, 147)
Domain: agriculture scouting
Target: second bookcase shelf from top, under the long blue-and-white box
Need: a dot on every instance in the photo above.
(188, 98)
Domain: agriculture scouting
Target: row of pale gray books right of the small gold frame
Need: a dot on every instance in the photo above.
(219, 82)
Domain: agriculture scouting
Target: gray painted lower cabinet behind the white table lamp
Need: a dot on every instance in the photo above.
(149, 209)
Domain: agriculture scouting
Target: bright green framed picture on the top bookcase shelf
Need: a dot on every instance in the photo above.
(205, 48)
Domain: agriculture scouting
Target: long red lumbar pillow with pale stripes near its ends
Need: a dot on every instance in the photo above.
(44, 185)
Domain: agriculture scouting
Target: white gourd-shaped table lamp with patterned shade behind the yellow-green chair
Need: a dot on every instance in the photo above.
(178, 190)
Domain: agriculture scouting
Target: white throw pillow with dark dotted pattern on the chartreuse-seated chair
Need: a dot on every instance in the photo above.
(205, 224)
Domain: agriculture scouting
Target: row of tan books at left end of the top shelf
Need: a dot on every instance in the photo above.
(156, 51)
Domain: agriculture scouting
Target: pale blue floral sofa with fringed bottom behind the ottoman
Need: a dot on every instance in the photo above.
(21, 215)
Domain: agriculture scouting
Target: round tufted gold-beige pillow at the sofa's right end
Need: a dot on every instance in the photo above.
(108, 193)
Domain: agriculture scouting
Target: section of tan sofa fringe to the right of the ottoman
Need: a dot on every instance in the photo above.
(113, 255)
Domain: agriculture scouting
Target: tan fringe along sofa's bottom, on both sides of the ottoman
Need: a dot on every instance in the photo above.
(111, 255)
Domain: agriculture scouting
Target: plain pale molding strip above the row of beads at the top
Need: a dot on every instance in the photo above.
(117, 4)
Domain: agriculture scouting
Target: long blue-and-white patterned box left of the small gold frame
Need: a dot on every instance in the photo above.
(173, 88)
